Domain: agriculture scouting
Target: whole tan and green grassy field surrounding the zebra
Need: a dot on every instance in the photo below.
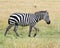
(48, 35)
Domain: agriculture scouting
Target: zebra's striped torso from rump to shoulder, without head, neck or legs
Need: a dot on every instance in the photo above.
(23, 19)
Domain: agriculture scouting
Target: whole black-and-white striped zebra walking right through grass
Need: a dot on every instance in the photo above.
(27, 19)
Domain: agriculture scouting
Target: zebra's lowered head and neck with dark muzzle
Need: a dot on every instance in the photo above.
(43, 15)
